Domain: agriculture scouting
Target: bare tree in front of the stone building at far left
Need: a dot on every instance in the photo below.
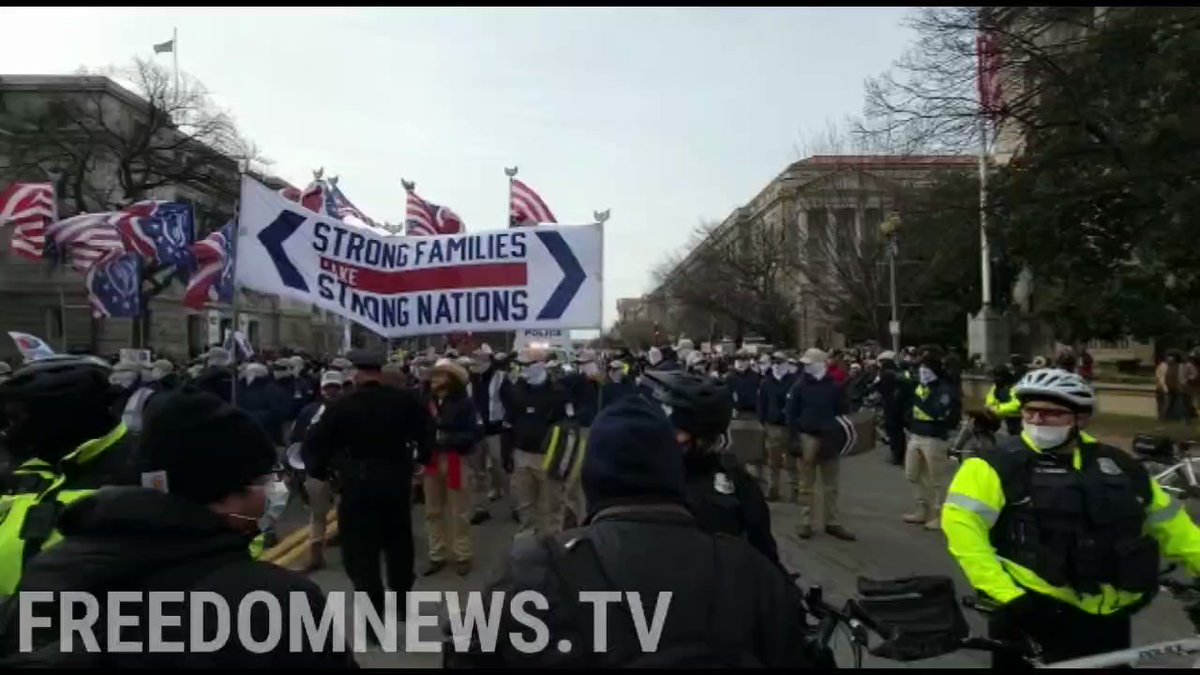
(116, 146)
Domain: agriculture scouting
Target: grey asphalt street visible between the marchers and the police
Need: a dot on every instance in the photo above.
(873, 497)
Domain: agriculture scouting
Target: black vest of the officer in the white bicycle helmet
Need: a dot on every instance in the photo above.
(1078, 529)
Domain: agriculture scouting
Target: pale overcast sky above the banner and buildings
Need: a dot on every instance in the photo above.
(667, 117)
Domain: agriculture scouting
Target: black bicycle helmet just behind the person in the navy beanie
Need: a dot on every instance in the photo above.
(697, 404)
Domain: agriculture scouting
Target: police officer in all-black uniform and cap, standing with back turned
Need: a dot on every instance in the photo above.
(367, 439)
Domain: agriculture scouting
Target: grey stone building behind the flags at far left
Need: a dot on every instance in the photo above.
(53, 304)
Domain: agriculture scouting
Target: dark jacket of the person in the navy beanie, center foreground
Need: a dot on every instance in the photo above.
(718, 584)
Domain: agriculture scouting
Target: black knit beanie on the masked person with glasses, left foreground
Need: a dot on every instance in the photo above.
(208, 449)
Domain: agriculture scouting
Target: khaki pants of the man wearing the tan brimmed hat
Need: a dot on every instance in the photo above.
(446, 507)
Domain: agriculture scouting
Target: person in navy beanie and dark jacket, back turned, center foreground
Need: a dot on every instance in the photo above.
(729, 605)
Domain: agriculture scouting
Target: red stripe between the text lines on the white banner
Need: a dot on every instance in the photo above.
(488, 276)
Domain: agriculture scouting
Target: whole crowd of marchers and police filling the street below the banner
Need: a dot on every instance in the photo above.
(621, 470)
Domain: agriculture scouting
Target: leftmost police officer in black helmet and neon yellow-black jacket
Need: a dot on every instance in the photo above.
(61, 411)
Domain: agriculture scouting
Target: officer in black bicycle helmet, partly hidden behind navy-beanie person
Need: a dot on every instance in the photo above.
(721, 494)
